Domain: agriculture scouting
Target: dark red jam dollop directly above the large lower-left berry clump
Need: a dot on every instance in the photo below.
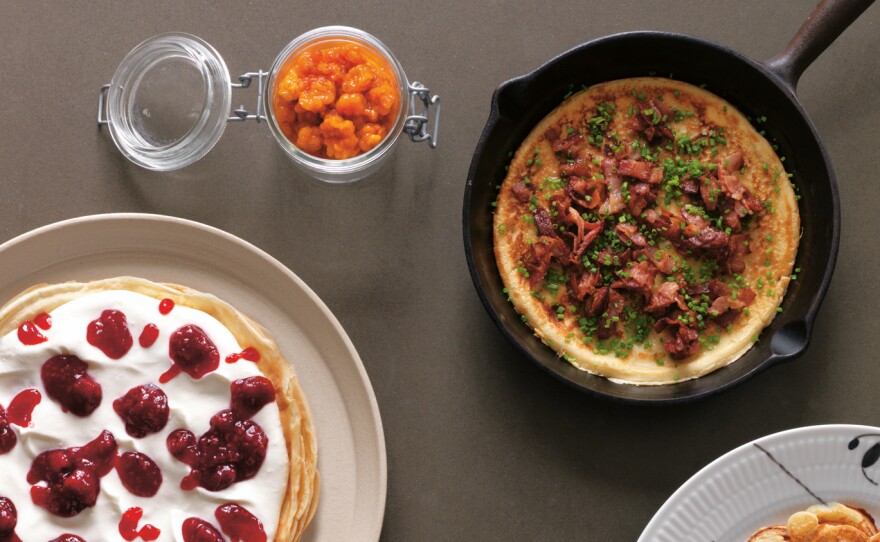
(67, 381)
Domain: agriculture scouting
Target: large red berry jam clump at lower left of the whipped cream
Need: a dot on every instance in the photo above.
(72, 475)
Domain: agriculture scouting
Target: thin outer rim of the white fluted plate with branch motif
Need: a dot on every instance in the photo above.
(696, 479)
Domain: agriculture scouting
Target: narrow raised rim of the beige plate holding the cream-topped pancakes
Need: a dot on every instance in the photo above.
(381, 497)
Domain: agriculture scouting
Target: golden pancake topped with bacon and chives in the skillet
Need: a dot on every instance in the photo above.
(646, 231)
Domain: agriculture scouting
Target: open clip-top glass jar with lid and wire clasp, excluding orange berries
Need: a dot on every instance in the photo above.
(168, 104)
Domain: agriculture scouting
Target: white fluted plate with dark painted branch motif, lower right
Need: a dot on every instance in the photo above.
(763, 482)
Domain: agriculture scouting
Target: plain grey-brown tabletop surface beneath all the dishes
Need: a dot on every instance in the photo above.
(482, 445)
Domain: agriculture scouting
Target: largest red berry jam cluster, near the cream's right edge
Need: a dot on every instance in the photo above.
(234, 448)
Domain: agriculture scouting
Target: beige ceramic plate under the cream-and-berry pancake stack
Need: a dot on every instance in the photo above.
(351, 445)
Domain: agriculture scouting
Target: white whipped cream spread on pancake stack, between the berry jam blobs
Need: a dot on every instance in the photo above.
(192, 404)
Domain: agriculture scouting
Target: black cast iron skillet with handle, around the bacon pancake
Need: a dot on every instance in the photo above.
(756, 89)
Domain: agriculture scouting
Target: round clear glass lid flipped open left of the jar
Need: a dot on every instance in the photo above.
(168, 102)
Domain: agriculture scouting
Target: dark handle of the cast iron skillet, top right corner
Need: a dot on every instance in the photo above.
(827, 21)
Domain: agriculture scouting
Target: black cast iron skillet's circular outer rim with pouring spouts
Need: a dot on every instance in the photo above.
(817, 296)
